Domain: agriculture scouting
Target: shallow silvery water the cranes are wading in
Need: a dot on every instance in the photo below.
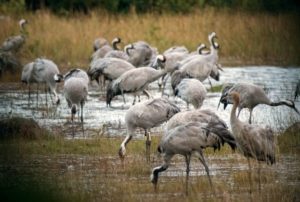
(279, 83)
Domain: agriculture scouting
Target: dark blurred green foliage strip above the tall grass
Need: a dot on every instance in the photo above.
(66, 7)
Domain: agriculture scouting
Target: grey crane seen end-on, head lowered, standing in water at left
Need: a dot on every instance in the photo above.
(75, 92)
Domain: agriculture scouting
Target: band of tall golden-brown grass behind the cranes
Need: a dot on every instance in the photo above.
(245, 38)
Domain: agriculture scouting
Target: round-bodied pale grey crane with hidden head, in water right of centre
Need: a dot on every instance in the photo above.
(191, 91)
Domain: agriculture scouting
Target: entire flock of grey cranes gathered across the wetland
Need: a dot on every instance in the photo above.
(139, 64)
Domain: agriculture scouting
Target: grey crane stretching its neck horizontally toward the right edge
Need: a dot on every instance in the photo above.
(251, 95)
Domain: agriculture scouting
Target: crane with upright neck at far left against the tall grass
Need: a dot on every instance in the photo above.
(14, 43)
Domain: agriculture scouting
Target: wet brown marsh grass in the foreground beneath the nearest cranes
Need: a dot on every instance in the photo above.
(57, 169)
